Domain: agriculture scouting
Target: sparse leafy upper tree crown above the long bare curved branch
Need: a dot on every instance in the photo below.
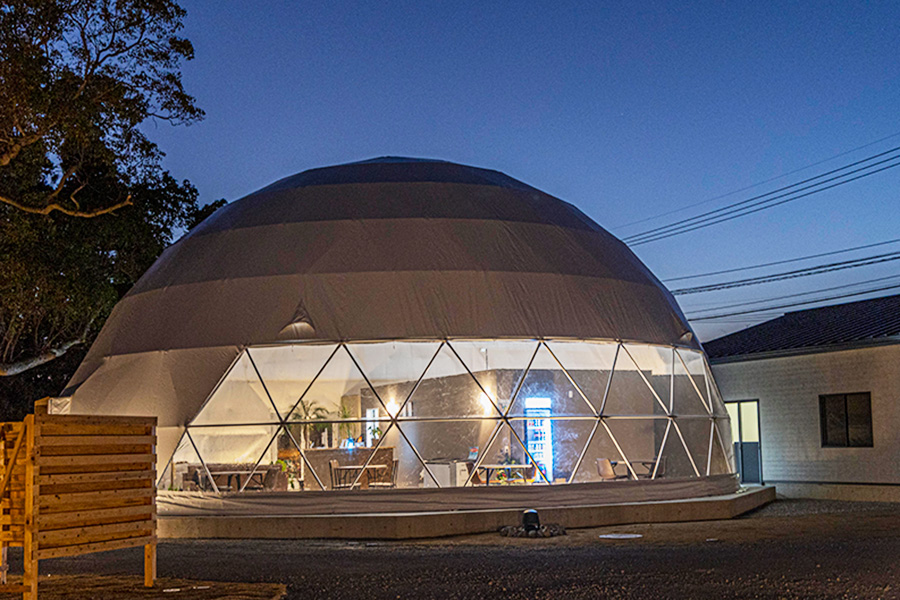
(77, 78)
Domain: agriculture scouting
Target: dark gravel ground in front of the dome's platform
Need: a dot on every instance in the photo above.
(789, 549)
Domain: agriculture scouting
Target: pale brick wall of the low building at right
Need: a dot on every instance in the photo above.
(788, 390)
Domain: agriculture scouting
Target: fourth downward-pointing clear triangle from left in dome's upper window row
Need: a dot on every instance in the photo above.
(589, 364)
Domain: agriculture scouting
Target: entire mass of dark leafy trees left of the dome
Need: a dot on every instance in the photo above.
(85, 207)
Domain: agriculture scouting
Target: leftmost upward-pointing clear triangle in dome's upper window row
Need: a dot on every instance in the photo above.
(240, 398)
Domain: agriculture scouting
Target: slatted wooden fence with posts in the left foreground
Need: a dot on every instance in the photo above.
(73, 484)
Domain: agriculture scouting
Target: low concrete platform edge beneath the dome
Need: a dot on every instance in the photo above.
(431, 524)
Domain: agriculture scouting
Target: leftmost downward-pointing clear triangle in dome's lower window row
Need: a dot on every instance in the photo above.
(231, 452)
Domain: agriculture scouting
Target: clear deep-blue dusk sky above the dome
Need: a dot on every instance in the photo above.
(627, 110)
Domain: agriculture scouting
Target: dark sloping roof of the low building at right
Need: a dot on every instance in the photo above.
(856, 323)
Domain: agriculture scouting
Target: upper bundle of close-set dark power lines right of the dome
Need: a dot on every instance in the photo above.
(732, 211)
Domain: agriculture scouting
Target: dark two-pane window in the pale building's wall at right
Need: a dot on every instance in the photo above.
(846, 420)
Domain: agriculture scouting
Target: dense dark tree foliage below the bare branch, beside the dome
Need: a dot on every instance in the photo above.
(60, 277)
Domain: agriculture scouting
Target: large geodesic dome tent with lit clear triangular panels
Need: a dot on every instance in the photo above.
(401, 323)
